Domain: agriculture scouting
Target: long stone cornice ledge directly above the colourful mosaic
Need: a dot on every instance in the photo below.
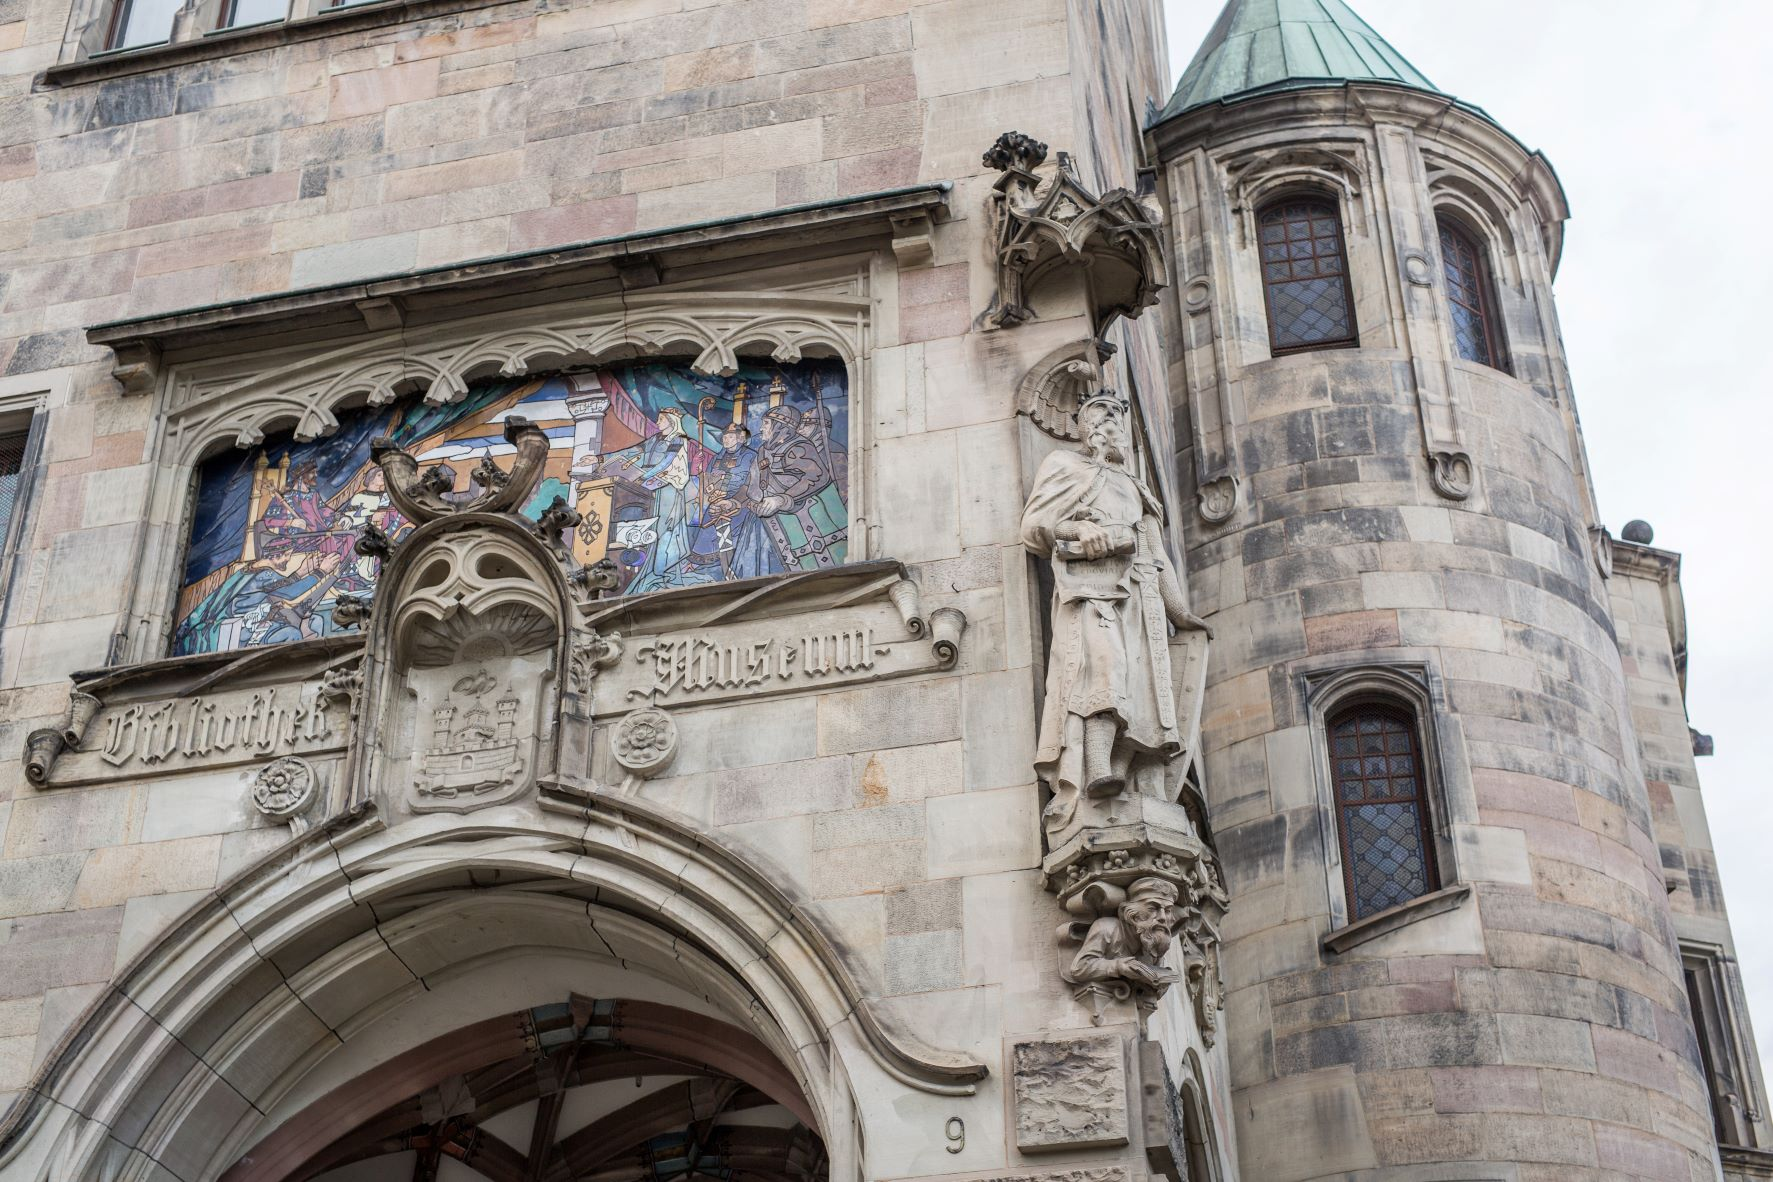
(618, 263)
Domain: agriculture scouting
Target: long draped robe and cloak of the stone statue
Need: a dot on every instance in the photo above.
(1111, 635)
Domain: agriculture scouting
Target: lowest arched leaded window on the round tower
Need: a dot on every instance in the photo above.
(1382, 811)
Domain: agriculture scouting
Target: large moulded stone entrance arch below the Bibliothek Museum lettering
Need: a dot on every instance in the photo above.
(269, 990)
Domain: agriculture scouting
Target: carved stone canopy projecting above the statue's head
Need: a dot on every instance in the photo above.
(1059, 222)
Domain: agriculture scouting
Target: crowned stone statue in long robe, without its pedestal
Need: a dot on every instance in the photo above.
(1111, 710)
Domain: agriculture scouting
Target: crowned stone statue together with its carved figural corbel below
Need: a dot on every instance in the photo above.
(1125, 859)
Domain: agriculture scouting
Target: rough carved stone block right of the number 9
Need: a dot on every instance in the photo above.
(1070, 1093)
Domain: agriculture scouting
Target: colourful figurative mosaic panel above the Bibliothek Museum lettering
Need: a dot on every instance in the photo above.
(680, 479)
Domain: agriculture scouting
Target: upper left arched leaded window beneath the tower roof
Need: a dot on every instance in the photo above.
(1306, 276)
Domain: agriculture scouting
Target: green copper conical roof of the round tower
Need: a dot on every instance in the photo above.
(1279, 45)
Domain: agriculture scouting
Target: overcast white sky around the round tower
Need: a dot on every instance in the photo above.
(1659, 120)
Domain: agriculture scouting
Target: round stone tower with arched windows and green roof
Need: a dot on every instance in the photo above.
(1449, 951)
